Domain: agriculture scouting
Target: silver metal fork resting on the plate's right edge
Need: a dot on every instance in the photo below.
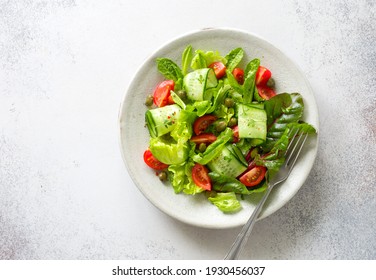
(292, 152)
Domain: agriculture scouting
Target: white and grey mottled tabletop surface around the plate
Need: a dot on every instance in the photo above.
(64, 190)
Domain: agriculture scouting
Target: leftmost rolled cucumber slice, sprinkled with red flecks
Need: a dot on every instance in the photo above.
(162, 120)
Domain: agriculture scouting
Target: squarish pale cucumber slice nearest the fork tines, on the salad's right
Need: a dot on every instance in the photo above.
(251, 122)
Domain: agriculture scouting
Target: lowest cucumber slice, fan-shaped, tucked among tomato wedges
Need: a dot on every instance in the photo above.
(227, 163)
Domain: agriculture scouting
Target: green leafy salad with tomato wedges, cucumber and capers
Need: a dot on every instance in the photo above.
(217, 126)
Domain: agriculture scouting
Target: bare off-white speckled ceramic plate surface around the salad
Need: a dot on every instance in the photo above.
(134, 137)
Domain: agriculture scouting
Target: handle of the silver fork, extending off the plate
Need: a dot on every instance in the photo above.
(243, 235)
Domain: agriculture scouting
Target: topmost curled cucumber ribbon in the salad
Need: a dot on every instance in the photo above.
(198, 81)
